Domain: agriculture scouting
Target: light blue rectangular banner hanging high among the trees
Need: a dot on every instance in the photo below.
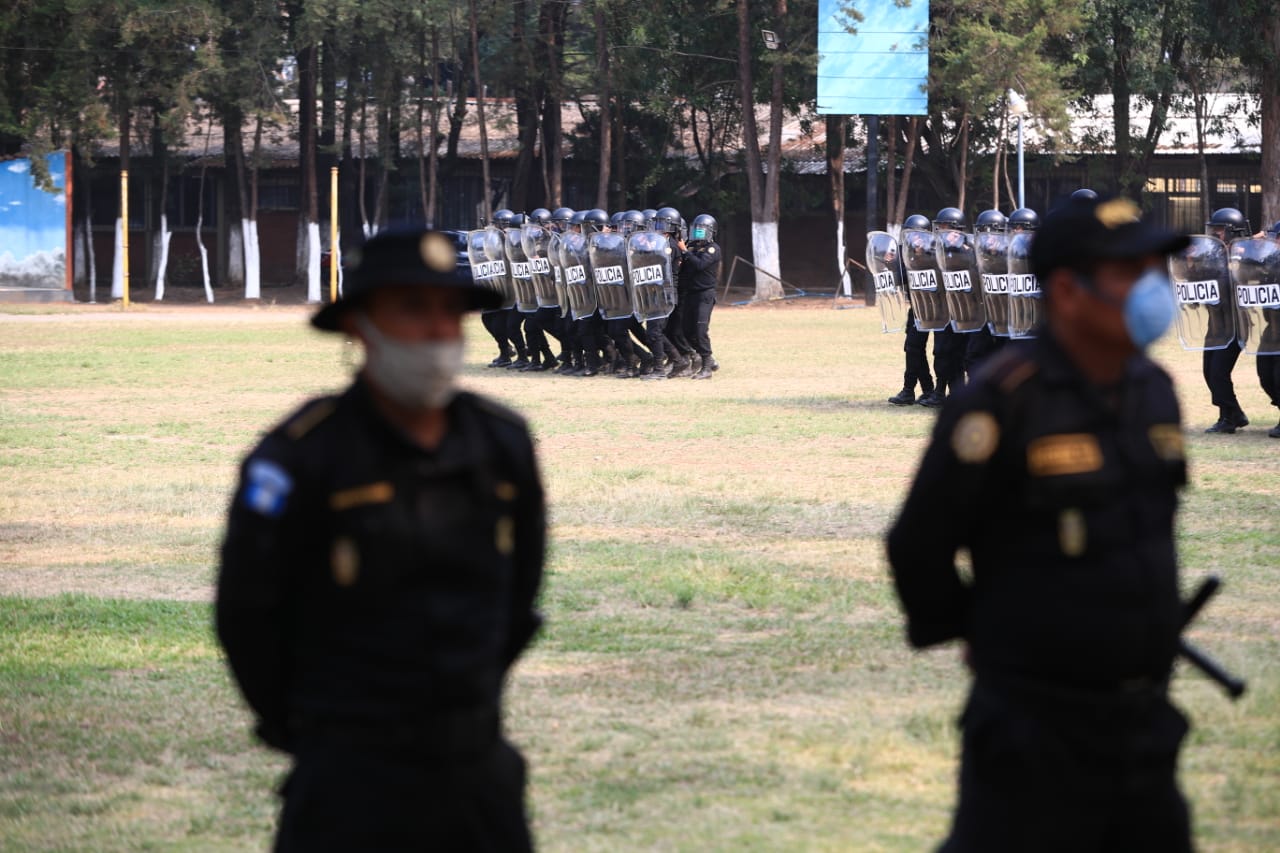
(877, 66)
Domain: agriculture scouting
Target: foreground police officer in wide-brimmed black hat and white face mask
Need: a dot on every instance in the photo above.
(378, 577)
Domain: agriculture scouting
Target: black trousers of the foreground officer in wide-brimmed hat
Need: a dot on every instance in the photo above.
(351, 799)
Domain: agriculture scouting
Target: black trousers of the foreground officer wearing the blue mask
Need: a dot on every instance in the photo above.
(1048, 779)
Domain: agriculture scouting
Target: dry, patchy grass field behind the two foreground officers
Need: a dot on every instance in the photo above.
(724, 664)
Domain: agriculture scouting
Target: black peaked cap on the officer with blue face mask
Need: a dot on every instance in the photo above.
(1086, 231)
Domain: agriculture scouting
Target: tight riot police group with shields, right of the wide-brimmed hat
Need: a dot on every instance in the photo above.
(609, 290)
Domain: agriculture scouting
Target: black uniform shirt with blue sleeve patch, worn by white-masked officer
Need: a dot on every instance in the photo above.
(368, 582)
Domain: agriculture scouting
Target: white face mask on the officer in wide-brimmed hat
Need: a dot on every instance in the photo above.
(417, 376)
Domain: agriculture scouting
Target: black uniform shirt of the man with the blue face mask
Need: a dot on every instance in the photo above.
(1066, 498)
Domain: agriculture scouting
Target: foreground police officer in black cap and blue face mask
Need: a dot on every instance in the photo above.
(1058, 469)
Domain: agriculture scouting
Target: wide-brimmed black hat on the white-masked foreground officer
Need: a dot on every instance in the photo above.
(403, 256)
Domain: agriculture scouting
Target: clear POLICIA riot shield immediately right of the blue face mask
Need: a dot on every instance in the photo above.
(1203, 285)
